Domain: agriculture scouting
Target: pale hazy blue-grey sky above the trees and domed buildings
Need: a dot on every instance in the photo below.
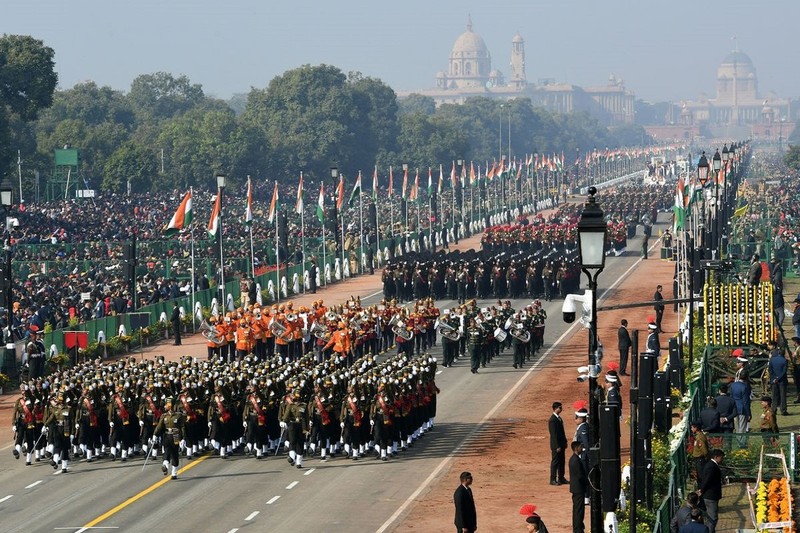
(663, 50)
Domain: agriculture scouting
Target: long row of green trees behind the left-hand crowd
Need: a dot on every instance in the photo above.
(165, 133)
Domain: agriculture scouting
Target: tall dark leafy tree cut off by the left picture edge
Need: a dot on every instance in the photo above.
(27, 82)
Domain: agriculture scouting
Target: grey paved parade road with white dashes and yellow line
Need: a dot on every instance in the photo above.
(239, 493)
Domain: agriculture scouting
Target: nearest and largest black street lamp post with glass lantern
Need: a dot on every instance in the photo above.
(592, 231)
